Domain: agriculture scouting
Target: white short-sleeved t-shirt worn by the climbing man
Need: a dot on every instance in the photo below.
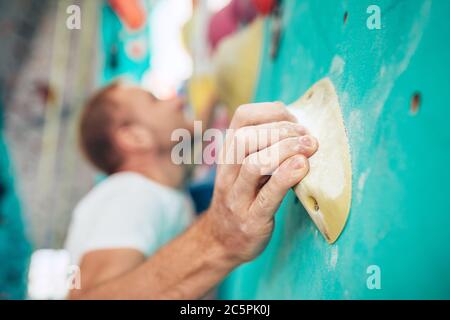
(127, 210)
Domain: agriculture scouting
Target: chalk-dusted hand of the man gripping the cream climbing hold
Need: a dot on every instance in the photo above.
(245, 196)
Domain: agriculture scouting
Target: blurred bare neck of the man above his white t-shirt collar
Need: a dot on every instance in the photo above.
(160, 169)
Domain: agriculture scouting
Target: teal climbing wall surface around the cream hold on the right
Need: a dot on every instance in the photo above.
(400, 215)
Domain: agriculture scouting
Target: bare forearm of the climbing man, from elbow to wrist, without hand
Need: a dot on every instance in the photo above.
(186, 268)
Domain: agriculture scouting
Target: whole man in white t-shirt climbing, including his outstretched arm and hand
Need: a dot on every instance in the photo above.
(120, 230)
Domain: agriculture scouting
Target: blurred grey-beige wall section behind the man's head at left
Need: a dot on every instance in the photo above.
(47, 72)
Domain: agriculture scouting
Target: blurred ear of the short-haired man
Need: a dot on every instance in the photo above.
(134, 138)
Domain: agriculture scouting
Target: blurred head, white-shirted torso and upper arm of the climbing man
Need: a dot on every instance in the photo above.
(125, 132)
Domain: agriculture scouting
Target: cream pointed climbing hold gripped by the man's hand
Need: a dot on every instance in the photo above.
(326, 190)
